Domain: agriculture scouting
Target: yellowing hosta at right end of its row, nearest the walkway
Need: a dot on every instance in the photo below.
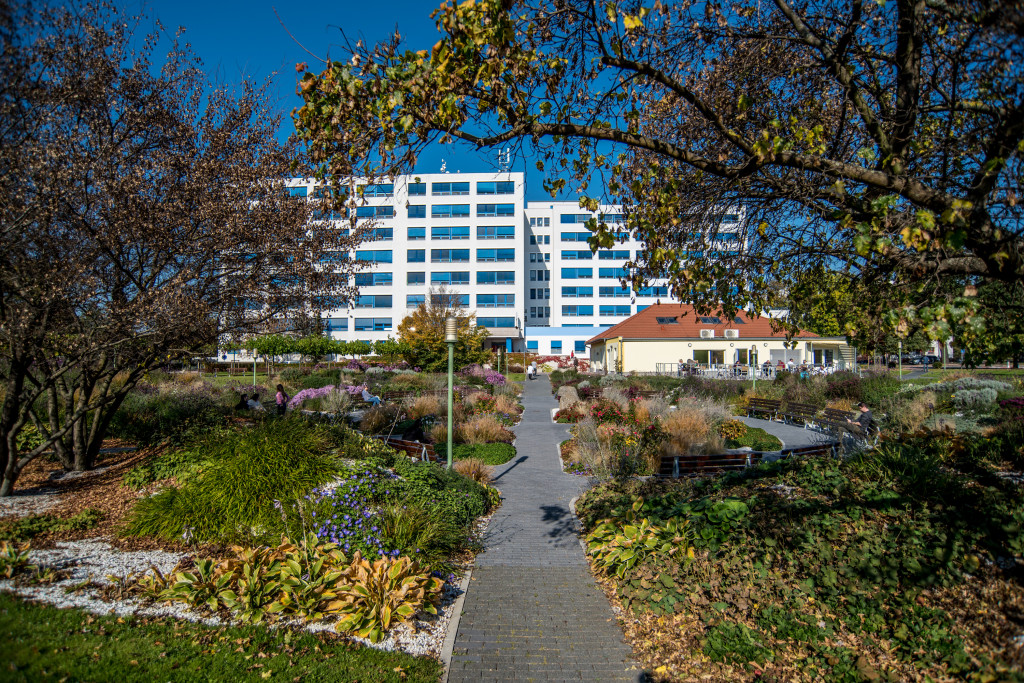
(385, 593)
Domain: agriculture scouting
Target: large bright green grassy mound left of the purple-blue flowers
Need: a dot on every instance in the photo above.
(232, 500)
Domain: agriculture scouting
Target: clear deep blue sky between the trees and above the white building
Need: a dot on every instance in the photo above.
(238, 40)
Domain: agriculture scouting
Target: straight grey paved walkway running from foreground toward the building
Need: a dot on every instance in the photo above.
(533, 612)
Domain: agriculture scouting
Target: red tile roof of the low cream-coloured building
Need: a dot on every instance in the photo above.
(646, 325)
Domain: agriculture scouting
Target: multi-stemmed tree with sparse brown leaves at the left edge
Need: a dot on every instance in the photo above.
(144, 217)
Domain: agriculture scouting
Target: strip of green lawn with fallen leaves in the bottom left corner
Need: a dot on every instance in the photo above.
(39, 644)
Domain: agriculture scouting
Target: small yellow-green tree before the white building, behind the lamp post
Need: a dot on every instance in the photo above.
(423, 334)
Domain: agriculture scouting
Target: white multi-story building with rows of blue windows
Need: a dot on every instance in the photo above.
(525, 269)
